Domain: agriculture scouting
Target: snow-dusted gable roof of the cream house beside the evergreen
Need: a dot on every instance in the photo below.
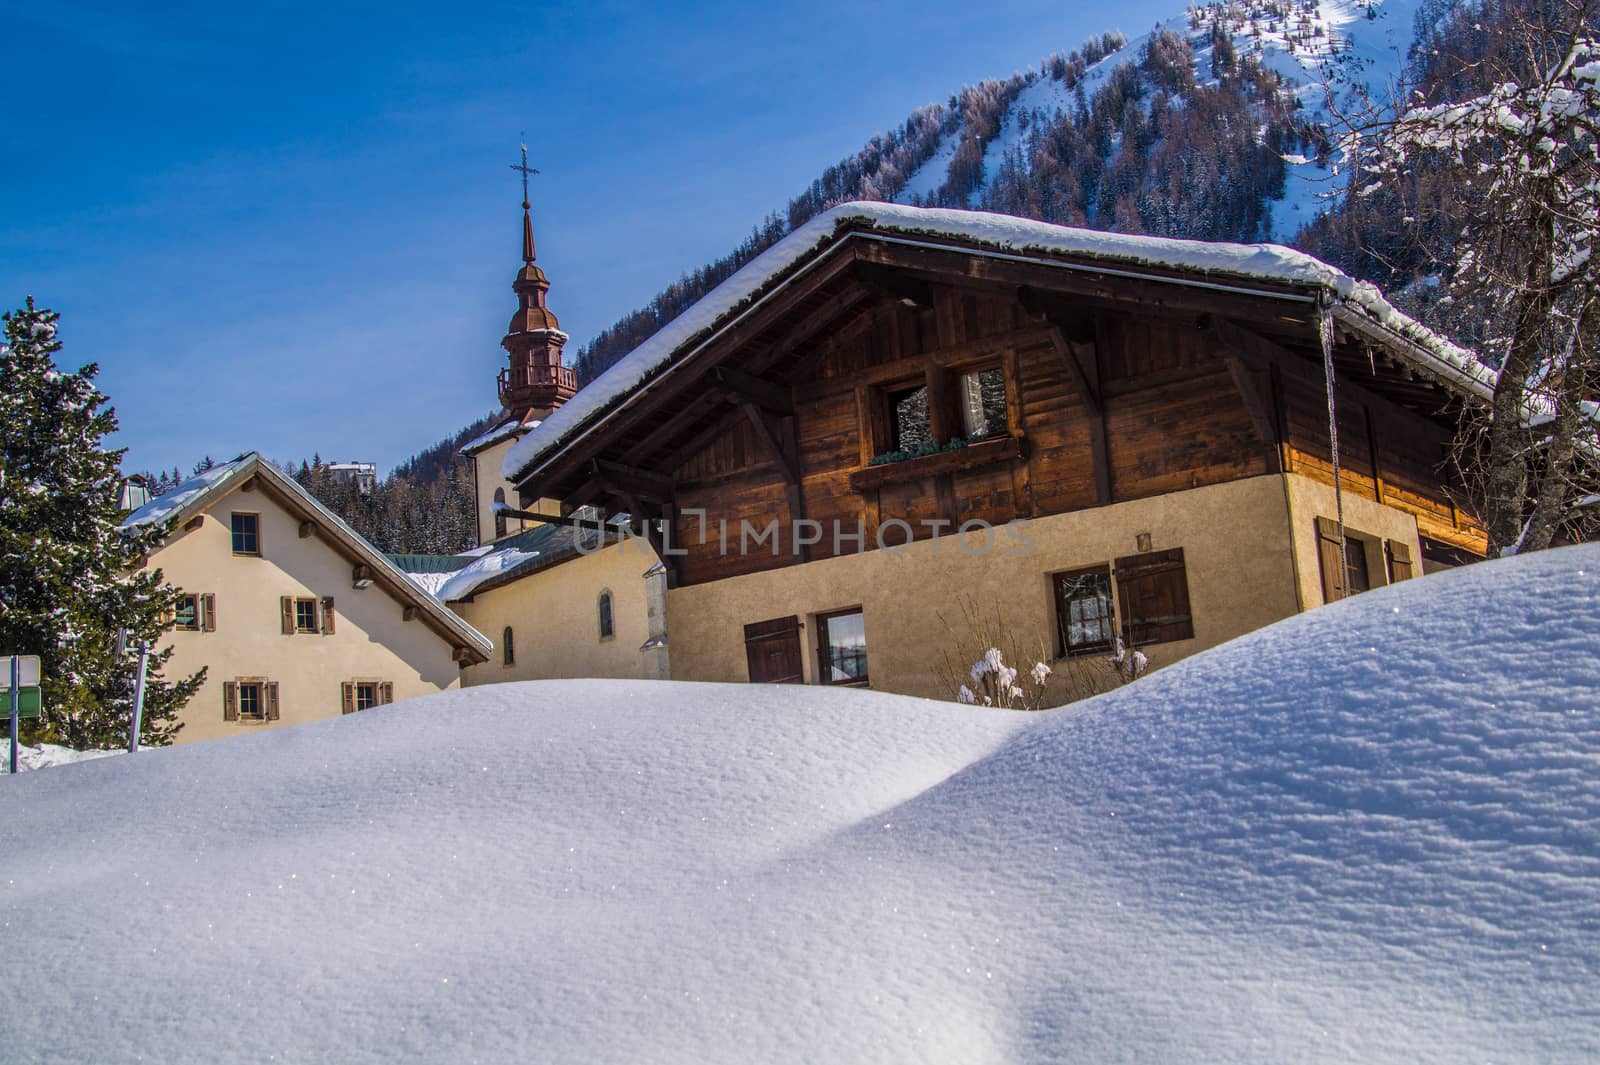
(202, 490)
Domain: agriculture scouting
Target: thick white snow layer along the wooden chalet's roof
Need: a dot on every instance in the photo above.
(1201, 263)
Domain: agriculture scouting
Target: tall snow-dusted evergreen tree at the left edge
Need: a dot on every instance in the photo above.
(70, 578)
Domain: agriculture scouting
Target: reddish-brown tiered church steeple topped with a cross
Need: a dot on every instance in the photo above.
(537, 383)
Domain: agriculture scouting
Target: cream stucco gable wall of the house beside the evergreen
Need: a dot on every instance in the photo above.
(370, 639)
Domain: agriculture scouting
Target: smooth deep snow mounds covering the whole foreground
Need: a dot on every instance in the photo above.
(1367, 834)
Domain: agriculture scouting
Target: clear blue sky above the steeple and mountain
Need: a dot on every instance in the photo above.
(292, 228)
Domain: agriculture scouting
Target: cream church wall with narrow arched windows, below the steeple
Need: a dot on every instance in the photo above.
(556, 623)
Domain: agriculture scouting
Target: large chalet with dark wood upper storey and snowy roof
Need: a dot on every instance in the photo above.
(1097, 436)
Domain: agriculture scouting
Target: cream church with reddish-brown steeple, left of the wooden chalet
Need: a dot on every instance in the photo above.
(558, 600)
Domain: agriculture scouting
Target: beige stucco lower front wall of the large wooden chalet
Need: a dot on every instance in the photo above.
(1236, 541)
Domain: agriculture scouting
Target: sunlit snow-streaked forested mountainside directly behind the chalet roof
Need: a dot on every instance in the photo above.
(1215, 126)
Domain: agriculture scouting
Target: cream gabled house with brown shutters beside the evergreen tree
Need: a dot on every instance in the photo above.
(290, 612)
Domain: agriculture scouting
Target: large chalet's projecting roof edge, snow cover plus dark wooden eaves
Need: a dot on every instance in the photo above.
(1263, 282)
